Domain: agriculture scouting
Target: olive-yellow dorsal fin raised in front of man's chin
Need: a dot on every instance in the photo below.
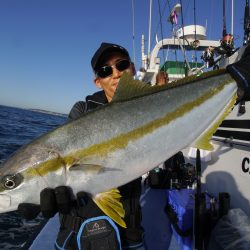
(129, 88)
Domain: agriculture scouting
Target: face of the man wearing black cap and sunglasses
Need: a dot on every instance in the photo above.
(109, 83)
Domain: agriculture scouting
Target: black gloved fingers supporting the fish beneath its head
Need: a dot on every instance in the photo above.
(52, 201)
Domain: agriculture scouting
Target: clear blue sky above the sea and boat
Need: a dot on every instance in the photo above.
(46, 45)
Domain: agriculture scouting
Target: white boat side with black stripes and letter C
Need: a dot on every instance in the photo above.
(227, 167)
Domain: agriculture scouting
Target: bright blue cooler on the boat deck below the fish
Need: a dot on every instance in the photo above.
(180, 211)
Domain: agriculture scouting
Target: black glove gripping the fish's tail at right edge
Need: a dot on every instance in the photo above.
(240, 71)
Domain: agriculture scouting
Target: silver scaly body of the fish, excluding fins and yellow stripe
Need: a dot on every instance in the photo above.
(138, 156)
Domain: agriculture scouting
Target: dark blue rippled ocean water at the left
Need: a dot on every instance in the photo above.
(18, 127)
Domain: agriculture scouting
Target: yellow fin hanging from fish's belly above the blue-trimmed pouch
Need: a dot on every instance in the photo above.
(109, 202)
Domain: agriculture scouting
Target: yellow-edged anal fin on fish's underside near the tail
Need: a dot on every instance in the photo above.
(203, 142)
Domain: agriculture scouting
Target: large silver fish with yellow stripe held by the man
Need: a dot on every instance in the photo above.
(110, 146)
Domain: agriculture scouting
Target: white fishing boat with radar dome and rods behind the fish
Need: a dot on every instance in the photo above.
(225, 169)
